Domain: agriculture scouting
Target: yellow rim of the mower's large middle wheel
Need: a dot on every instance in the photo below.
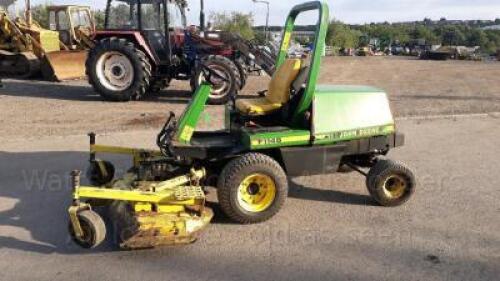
(256, 193)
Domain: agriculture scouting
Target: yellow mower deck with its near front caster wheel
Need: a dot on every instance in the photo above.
(143, 214)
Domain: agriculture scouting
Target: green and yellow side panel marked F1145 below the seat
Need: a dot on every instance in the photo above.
(266, 140)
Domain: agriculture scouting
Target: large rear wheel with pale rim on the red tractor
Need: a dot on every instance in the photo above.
(117, 70)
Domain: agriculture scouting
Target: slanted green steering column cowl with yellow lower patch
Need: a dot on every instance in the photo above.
(189, 120)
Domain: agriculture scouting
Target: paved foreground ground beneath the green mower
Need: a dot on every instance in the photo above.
(329, 229)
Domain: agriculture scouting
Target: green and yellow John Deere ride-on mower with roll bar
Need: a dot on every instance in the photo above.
(297, 128)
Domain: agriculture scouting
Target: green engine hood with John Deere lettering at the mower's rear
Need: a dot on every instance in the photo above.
(343, 113)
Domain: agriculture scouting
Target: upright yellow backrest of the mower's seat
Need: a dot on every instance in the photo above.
(279, 87)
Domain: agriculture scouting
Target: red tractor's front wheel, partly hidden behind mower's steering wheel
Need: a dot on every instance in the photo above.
(222, 91)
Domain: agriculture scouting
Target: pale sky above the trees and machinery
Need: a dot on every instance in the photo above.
(350, 11)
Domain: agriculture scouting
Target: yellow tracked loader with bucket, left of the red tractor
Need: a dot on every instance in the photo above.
(28, 50)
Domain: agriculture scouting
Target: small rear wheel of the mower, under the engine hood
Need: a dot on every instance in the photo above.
(390, 183)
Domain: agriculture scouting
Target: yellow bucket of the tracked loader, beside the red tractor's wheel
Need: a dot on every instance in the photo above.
(64, 65)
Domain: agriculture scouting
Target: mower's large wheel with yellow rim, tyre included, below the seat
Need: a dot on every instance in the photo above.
(252, 188)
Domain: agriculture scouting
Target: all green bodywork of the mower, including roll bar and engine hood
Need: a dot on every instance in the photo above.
(339, 113)
